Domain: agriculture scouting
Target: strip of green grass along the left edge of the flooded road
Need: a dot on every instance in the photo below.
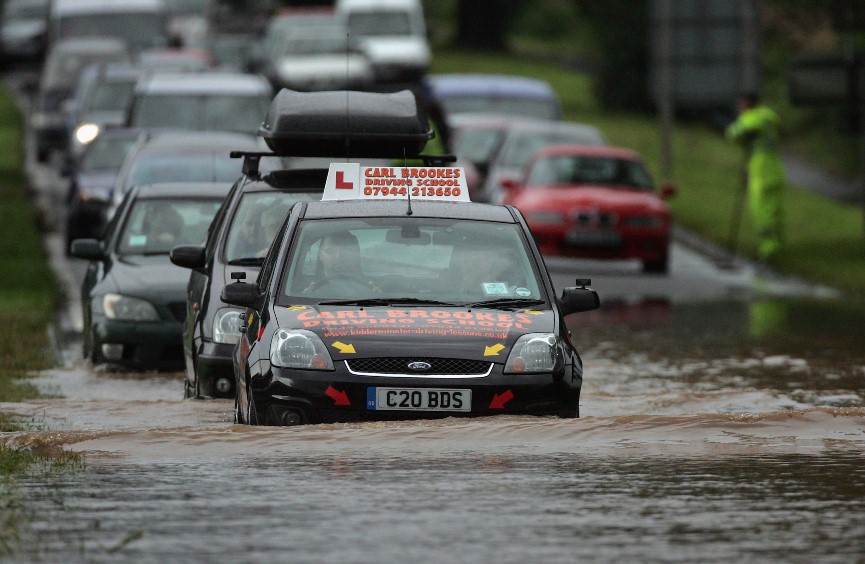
(28, 303)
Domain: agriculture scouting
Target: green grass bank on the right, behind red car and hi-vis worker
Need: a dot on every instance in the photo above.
(825, 241)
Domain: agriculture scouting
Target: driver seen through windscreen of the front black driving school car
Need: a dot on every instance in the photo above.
(339, 263)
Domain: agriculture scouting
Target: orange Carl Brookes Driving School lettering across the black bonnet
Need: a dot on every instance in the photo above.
(345, 324)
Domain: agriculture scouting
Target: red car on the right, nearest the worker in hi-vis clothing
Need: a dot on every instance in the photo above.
(594, 202)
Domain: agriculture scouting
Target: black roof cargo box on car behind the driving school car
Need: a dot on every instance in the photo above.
(345, 123)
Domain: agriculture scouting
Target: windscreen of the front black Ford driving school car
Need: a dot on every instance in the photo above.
(406, 258)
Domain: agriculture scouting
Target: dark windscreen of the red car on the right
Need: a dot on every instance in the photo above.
(584, 169)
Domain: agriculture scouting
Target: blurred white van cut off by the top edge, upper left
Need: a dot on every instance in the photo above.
(143, 24)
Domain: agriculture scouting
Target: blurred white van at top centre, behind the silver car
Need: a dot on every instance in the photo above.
(392, 33)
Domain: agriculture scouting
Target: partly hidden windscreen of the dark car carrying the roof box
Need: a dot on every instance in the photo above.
(258, 217)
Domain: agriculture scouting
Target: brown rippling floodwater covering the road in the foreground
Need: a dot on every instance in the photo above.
(715, 432)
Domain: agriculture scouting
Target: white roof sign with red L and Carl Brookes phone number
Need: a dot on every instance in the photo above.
(350, 181)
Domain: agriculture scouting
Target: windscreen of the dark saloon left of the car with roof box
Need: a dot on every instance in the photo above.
(154, 226)
